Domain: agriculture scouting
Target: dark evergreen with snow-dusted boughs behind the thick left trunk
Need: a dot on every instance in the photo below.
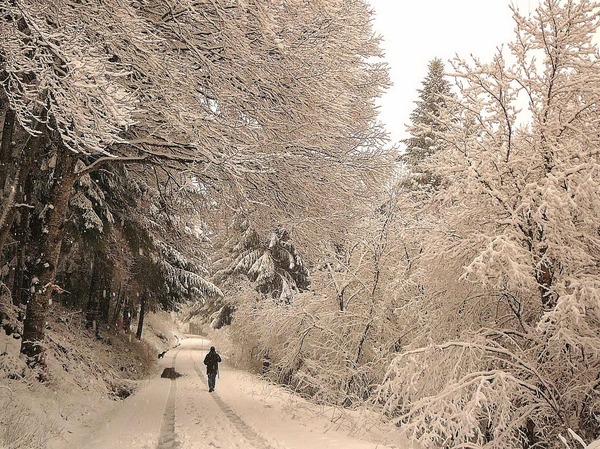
(152, 250)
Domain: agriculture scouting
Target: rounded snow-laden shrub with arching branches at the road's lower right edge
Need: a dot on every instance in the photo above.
(468, 393)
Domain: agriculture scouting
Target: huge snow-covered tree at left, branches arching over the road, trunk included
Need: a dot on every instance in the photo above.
(268, 102)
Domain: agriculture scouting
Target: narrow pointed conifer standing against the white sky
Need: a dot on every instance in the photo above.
(427, 121)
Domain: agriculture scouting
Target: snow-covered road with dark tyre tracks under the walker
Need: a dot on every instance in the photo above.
(244, 412)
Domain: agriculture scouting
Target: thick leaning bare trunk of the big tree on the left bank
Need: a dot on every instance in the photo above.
(44, 274)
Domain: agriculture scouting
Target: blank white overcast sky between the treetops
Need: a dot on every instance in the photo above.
(415, 32)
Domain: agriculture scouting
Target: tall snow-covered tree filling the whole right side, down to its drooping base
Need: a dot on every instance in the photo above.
(516, 240)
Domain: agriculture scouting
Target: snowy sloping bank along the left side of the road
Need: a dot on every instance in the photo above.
(86, 375)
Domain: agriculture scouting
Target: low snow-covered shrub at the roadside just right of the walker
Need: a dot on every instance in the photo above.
(311, 347)
